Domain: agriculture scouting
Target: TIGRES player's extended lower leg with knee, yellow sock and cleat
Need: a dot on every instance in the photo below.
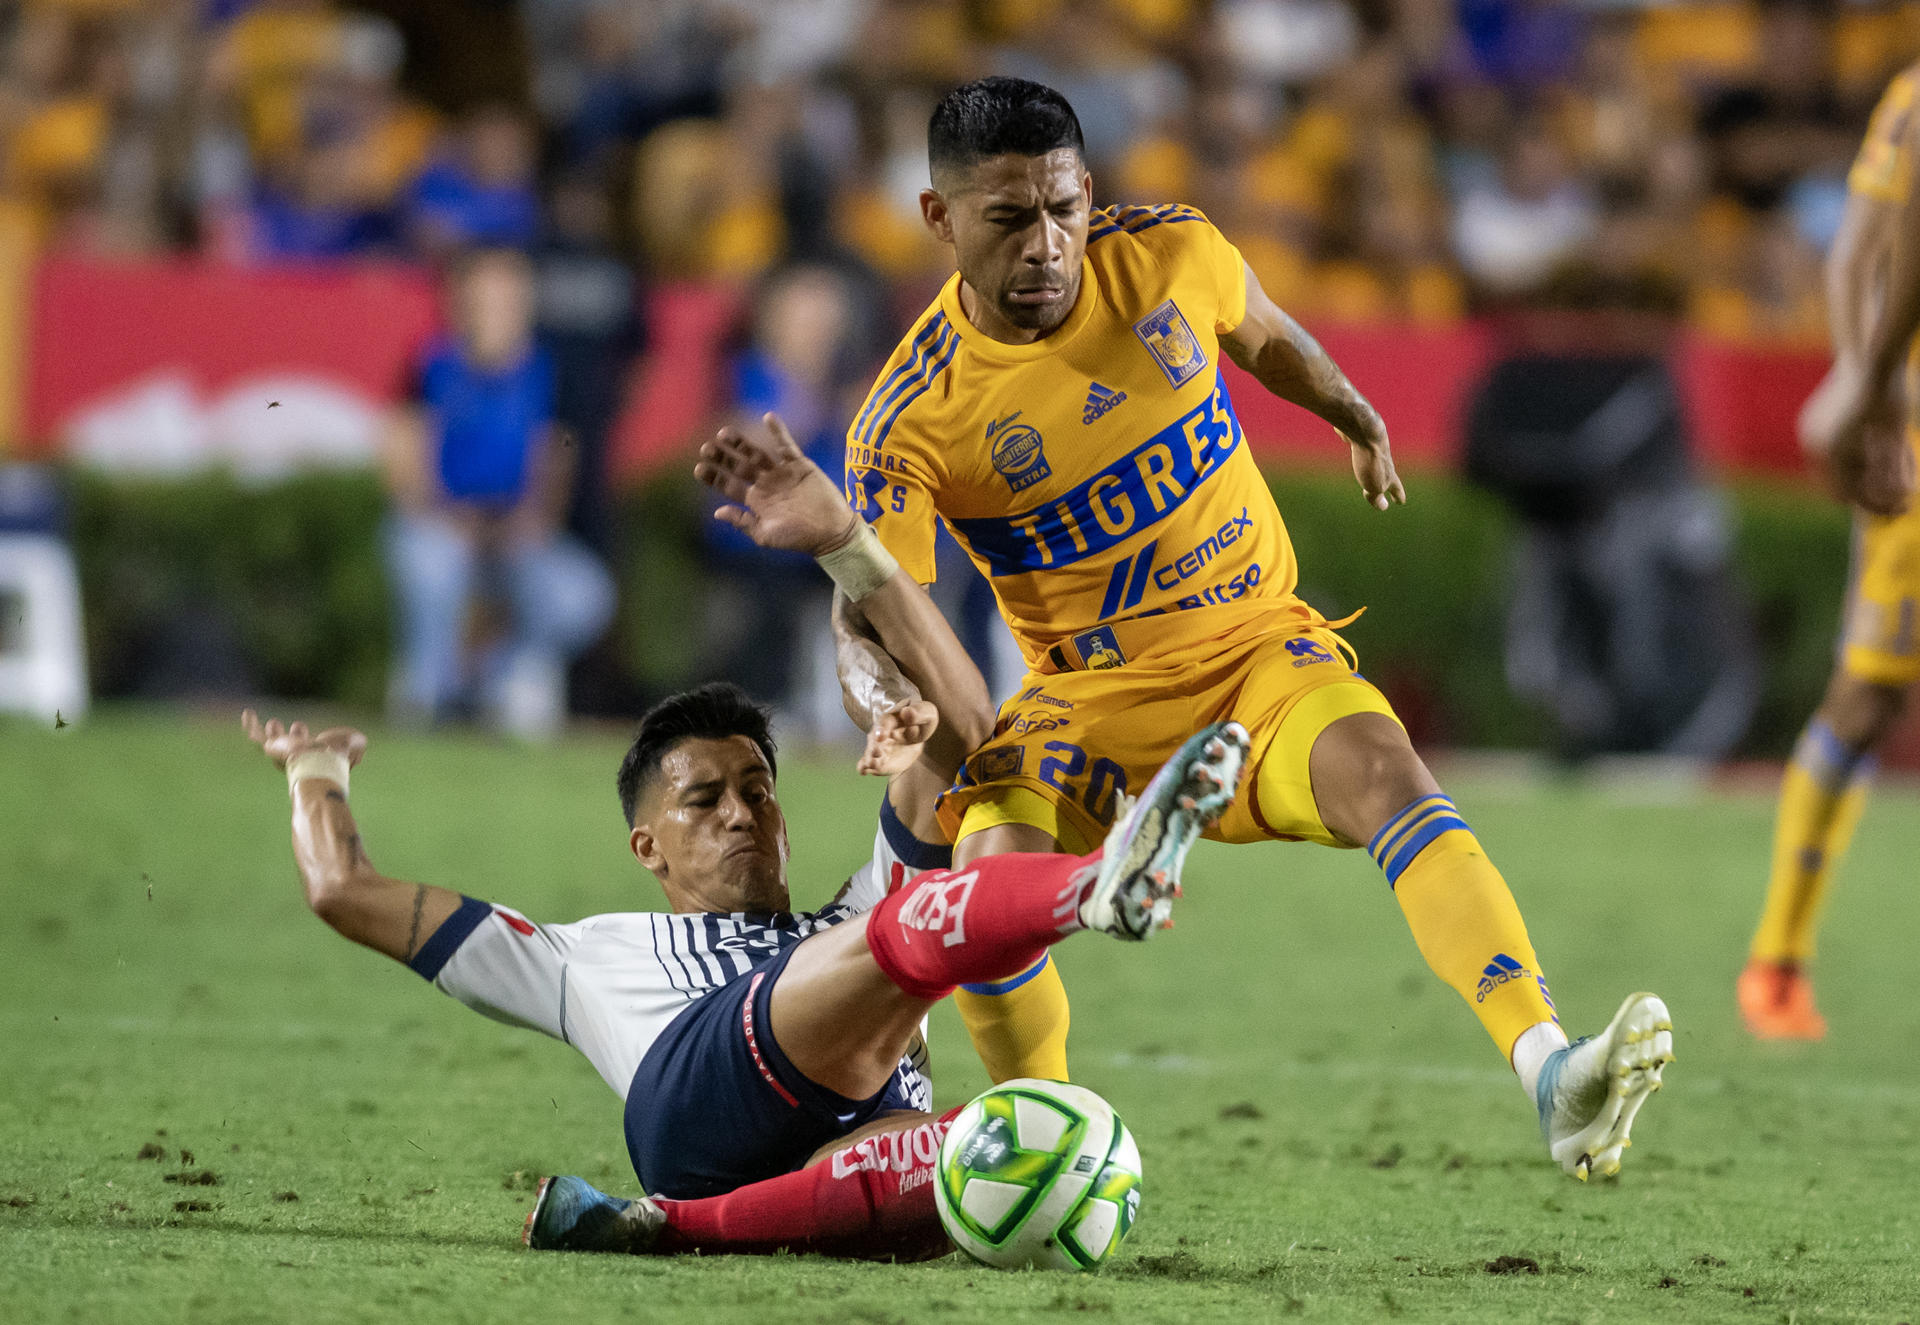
(1372, 788)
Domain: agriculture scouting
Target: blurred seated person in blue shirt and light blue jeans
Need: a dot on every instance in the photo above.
(479, 487)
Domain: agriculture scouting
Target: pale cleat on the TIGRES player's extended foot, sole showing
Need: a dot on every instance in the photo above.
(1591, 1092)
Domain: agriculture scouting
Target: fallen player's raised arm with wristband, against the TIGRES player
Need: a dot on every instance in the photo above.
(780, 498)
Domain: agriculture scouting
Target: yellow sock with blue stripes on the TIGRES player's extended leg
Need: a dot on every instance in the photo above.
(1464, 919)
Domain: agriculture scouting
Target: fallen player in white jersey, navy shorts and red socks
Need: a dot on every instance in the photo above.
(767, 1061)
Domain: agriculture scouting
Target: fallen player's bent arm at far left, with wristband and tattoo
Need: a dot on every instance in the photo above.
(343, 886)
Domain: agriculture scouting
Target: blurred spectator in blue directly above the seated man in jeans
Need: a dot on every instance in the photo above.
(481, 189)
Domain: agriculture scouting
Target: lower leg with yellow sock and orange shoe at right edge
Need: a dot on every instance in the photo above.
(1823, 796)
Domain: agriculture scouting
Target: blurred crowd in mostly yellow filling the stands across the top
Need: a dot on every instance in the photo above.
(1374, 158)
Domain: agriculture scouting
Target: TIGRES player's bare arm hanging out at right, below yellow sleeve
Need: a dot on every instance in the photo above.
(1293, 366)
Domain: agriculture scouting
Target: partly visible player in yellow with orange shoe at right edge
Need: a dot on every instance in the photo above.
(1858, 423)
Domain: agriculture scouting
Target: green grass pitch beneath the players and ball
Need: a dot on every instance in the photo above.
(1326, 1130)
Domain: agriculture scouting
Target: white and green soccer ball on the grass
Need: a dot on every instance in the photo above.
(1040, 1174)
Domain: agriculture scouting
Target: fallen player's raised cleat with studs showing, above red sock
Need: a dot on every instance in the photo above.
(1140, 871)
